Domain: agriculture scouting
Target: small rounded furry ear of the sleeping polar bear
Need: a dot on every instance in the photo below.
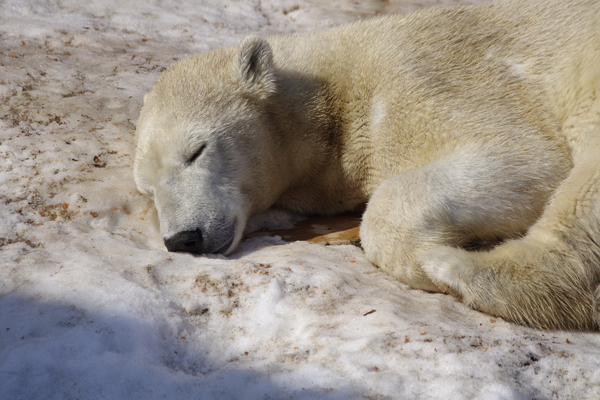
(255, 69)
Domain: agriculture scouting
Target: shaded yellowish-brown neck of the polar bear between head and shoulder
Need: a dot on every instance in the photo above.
(325, 177)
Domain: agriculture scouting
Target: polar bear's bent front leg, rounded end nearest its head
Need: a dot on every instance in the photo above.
(453, 202)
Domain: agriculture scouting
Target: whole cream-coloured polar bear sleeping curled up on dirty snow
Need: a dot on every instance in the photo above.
(471, 133)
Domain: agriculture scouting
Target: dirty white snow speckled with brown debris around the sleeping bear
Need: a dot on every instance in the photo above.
(92, 306)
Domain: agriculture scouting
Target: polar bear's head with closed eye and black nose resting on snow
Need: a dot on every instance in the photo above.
(205, 146)
